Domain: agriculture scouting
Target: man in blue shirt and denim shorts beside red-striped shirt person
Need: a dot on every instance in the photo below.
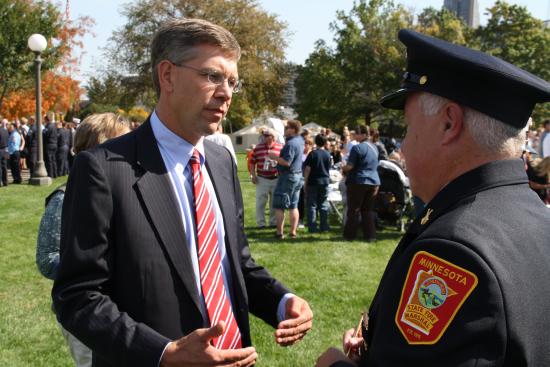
(289, 166)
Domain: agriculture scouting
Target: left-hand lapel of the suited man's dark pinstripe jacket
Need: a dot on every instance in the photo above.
(155, 188)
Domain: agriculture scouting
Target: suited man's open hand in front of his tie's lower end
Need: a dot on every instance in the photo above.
(195, 350)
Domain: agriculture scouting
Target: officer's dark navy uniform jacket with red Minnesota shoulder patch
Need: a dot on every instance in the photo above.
(468, 285)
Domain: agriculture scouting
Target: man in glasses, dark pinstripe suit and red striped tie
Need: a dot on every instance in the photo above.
(141, 282)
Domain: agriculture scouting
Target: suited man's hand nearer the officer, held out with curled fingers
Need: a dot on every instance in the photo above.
(298, 321)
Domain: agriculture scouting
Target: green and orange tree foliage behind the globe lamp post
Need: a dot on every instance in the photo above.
(20, 19)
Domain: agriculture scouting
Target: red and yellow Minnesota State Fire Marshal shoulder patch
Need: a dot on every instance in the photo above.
(433, 293)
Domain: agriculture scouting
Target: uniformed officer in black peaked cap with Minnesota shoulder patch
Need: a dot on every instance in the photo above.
(468, 283)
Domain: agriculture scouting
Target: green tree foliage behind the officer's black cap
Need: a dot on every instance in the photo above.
(343, 85)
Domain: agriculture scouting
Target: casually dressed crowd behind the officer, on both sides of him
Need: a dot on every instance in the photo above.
(356, 154)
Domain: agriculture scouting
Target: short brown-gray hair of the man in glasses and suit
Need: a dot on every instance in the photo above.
(177, 38)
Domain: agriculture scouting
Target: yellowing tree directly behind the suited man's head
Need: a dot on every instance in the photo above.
(261, 36)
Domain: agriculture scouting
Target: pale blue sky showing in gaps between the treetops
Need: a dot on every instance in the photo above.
(308, 21)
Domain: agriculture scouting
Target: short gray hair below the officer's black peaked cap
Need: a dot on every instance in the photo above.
(490, 134)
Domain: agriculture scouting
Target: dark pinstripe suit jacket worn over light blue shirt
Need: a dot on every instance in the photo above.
(126, 285)
